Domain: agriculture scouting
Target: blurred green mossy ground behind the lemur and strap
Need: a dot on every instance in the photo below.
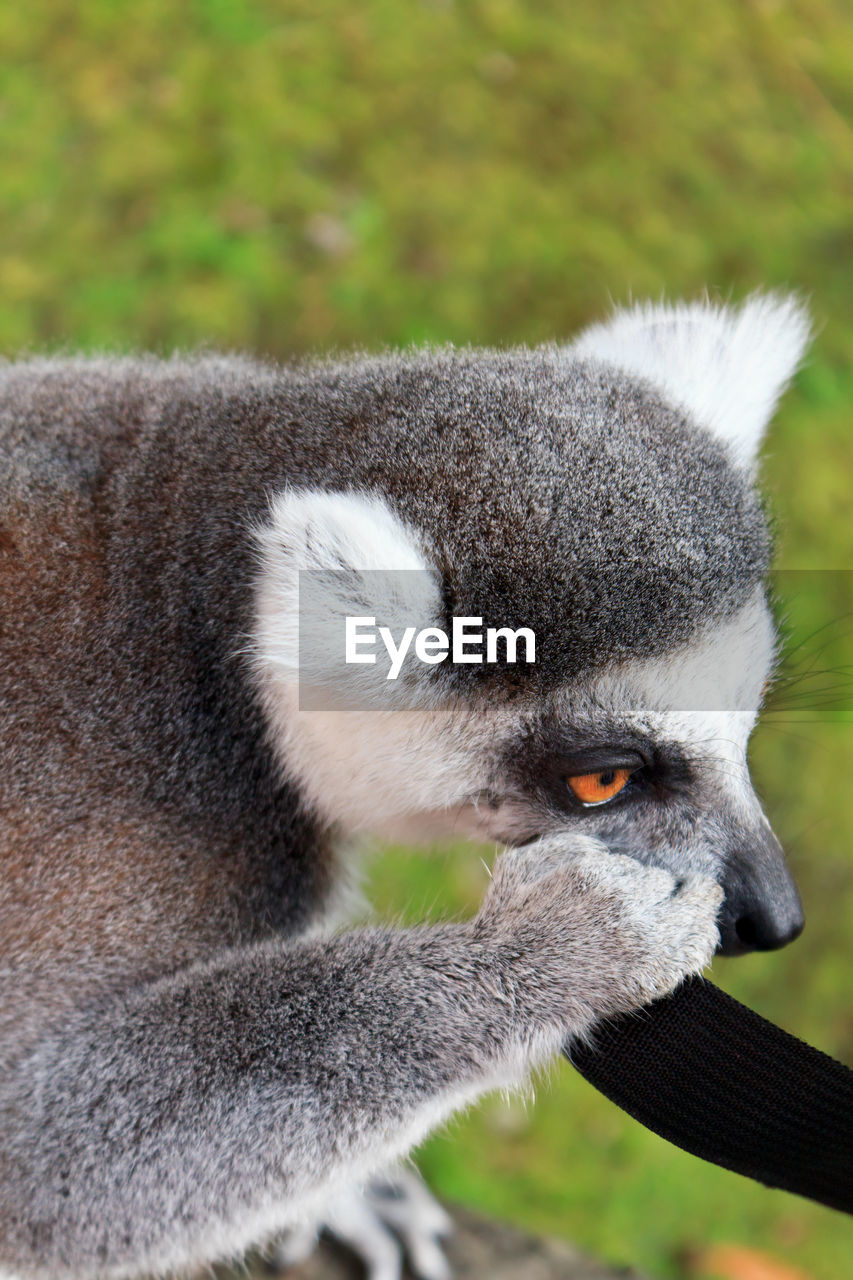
(285, 177)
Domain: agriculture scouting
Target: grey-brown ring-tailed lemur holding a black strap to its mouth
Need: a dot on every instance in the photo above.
(193, 1059)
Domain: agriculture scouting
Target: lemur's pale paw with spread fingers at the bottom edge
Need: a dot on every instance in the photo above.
(389, 1219)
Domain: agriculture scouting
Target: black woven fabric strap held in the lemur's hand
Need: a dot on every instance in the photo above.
(713, 1077)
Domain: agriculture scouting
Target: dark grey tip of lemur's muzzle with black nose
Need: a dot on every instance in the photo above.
(761, 911)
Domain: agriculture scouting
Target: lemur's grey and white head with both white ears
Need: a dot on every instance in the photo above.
(600, 496)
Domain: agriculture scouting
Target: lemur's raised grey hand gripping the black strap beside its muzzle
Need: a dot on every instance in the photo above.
(581, 934)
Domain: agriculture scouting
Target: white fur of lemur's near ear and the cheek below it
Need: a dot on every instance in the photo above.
(389, 758)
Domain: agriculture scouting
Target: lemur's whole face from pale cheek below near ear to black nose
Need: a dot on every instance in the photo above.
(651, 757)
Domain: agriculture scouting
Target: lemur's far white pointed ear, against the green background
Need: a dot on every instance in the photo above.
(727, 367)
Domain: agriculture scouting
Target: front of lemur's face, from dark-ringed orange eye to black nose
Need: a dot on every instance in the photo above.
(653, 760)
